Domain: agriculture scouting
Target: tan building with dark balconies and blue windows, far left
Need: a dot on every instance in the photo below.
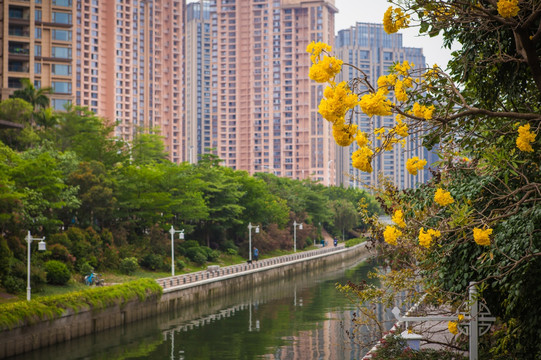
(37, 43)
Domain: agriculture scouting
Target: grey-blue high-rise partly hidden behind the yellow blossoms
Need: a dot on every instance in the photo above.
(372, 50)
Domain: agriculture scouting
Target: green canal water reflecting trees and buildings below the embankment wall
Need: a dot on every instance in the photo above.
(304, 317)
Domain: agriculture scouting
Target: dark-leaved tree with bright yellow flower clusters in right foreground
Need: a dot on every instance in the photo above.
(479, 219)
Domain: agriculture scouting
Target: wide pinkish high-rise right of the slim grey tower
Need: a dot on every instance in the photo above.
(264, 104)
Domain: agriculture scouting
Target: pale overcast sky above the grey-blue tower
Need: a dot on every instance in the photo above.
(351, 11)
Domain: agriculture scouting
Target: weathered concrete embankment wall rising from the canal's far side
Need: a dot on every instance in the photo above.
(71, 325)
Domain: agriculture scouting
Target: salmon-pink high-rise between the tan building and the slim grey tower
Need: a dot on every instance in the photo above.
(130, 58)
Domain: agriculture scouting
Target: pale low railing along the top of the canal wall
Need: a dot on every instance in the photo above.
(217, 272)
